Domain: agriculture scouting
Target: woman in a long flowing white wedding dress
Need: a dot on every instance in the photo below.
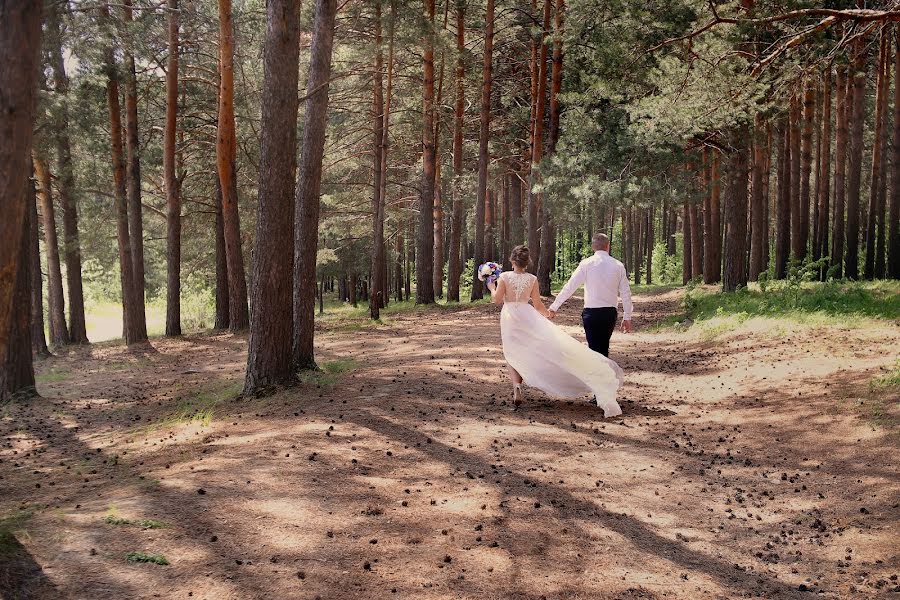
(540, 353)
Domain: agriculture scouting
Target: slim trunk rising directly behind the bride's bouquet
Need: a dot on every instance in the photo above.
(483, 156)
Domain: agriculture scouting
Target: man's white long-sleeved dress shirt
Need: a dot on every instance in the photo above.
(604, 280)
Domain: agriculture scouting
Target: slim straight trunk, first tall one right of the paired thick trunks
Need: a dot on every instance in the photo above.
(376, 292)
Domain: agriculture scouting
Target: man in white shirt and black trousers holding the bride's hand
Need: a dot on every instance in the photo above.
(604, 280)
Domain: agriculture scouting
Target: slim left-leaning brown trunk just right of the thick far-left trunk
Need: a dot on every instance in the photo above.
(59, 333)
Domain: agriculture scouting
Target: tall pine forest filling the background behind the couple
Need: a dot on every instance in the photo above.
(257, 154)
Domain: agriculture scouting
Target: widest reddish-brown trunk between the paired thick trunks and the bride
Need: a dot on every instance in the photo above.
(425, 238)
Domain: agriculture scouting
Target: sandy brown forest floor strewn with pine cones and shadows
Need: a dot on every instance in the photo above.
(746, 464)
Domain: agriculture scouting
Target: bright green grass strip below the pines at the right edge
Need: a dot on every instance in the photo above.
(811, 303)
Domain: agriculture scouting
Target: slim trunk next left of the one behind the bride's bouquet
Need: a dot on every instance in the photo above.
(454, 269)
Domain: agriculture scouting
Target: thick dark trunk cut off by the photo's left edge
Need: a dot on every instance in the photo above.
(20, 40)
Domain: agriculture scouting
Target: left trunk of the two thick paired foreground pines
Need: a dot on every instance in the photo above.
(269, 361)
